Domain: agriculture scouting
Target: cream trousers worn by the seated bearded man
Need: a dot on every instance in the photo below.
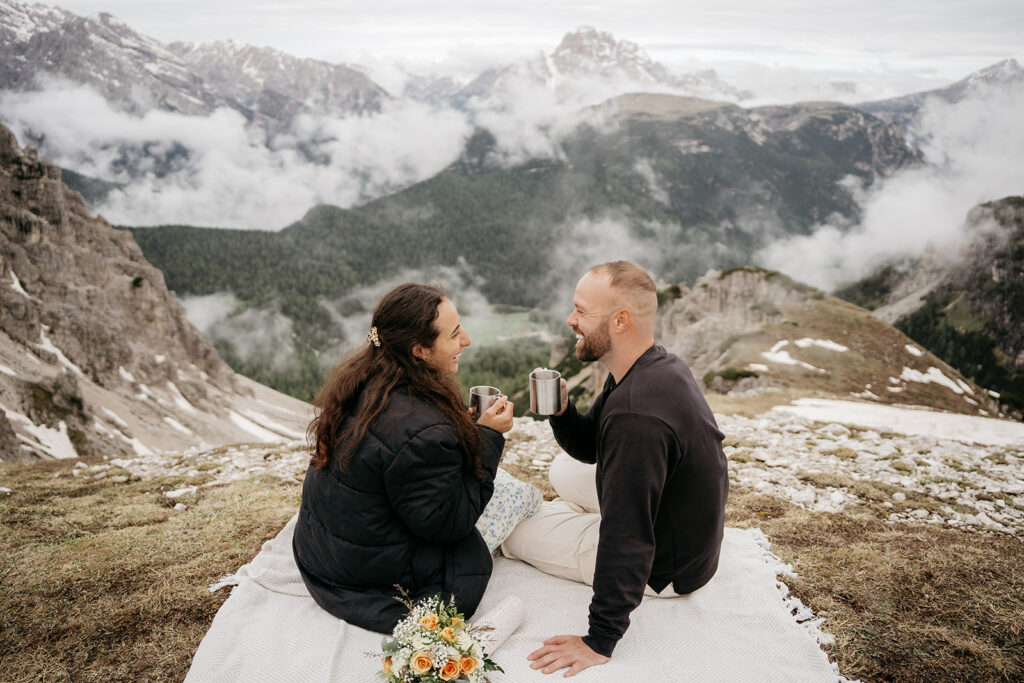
(562, 538)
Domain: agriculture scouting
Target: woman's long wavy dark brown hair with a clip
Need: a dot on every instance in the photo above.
(404, 318)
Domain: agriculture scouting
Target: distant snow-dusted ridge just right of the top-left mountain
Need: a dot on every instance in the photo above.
(259, 76)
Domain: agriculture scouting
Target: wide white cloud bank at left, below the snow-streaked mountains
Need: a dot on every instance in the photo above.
(217, 170)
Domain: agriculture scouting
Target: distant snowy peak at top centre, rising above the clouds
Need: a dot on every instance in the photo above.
(591, 55)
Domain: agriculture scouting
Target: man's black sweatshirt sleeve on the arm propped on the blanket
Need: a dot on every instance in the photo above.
(635, 466)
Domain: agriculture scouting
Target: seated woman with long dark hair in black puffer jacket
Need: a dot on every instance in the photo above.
(401, 473)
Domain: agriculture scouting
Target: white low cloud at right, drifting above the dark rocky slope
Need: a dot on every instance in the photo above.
(973, 150)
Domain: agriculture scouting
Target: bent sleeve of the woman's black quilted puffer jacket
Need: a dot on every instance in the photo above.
(430, 489)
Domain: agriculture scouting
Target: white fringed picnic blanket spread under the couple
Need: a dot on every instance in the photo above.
(740, 627)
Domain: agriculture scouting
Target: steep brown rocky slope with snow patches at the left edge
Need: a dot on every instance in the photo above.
(97, 357)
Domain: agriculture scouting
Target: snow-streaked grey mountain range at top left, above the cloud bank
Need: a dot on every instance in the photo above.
(137, 73)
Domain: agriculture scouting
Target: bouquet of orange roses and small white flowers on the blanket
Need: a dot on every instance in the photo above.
(435, 644)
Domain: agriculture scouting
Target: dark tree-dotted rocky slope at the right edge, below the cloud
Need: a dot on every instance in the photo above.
(968, 307)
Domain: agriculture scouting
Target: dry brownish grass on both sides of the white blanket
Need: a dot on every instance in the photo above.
(104, 581)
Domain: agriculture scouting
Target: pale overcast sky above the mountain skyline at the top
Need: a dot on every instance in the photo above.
(936, 40)
